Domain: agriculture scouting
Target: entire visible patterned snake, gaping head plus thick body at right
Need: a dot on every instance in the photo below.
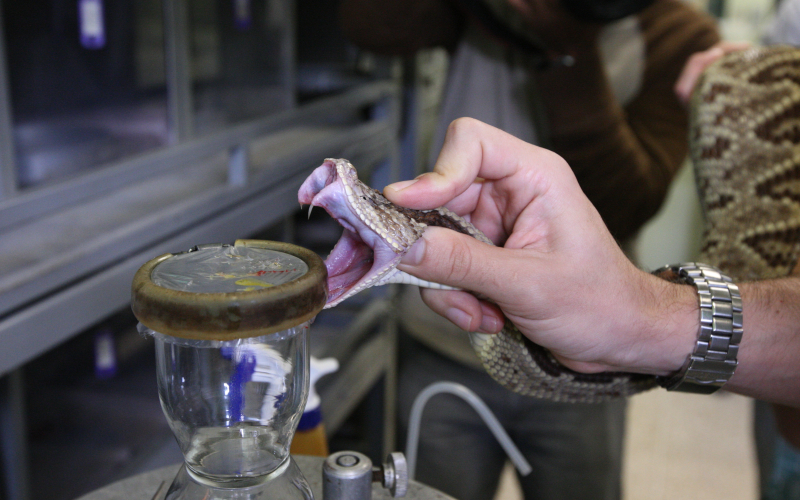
(744, 136)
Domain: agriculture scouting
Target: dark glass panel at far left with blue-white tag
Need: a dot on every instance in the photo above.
(87, 83)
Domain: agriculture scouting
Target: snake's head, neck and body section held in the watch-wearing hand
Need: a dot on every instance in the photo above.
(388, 231)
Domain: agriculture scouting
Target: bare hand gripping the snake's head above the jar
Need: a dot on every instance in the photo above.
(557, 273)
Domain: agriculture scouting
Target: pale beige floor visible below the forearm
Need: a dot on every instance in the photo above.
(683, 446)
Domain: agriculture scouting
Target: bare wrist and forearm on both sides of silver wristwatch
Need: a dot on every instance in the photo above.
(769, 353)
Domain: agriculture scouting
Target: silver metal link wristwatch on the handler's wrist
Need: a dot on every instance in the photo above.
(713, 360)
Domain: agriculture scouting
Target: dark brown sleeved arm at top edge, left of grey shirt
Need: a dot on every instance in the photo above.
(400, 27)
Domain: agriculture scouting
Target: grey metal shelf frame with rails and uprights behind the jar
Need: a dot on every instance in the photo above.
(48, 301)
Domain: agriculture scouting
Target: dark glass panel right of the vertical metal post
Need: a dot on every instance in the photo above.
(241, 60)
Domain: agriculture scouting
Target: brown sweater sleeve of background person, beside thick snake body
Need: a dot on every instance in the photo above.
(626, 158)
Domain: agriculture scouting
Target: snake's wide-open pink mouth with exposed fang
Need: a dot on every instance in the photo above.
(361, 258)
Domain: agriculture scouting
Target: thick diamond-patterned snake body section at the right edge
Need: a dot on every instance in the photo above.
(745, 147)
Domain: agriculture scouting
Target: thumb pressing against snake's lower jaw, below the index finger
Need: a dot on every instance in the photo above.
(454, 259)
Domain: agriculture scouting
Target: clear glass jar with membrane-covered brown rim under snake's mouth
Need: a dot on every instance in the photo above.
(230, 324)
